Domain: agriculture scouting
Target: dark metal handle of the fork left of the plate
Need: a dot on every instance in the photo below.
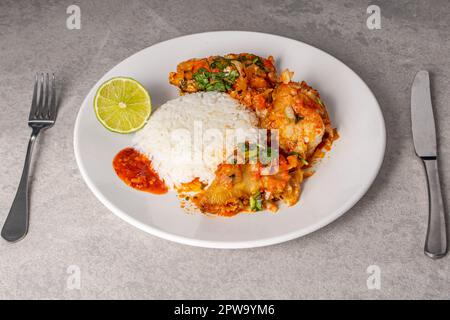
(16, 224)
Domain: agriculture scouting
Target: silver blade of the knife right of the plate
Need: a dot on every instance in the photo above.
(423, 127)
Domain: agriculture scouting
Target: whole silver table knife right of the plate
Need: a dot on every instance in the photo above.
(424, 136)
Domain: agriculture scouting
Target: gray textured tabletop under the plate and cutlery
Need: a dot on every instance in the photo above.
(70, 227)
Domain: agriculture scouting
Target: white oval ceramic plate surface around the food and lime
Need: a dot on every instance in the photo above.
(341, 179)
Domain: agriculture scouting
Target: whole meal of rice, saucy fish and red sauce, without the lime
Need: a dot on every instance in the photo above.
(186, 146)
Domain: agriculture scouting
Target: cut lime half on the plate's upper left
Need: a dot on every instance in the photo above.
(122, 105)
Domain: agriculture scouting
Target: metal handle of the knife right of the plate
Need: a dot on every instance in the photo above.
(436, 241)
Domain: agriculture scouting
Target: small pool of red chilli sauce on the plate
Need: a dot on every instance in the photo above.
(135, 169)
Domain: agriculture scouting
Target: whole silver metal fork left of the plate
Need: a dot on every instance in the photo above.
(42, 116)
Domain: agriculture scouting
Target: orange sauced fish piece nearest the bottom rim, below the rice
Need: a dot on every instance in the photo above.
(245, 187)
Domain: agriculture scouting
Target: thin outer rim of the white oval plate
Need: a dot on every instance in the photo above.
(231, 244)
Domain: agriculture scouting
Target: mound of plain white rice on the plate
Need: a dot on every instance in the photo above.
(172, 136)
